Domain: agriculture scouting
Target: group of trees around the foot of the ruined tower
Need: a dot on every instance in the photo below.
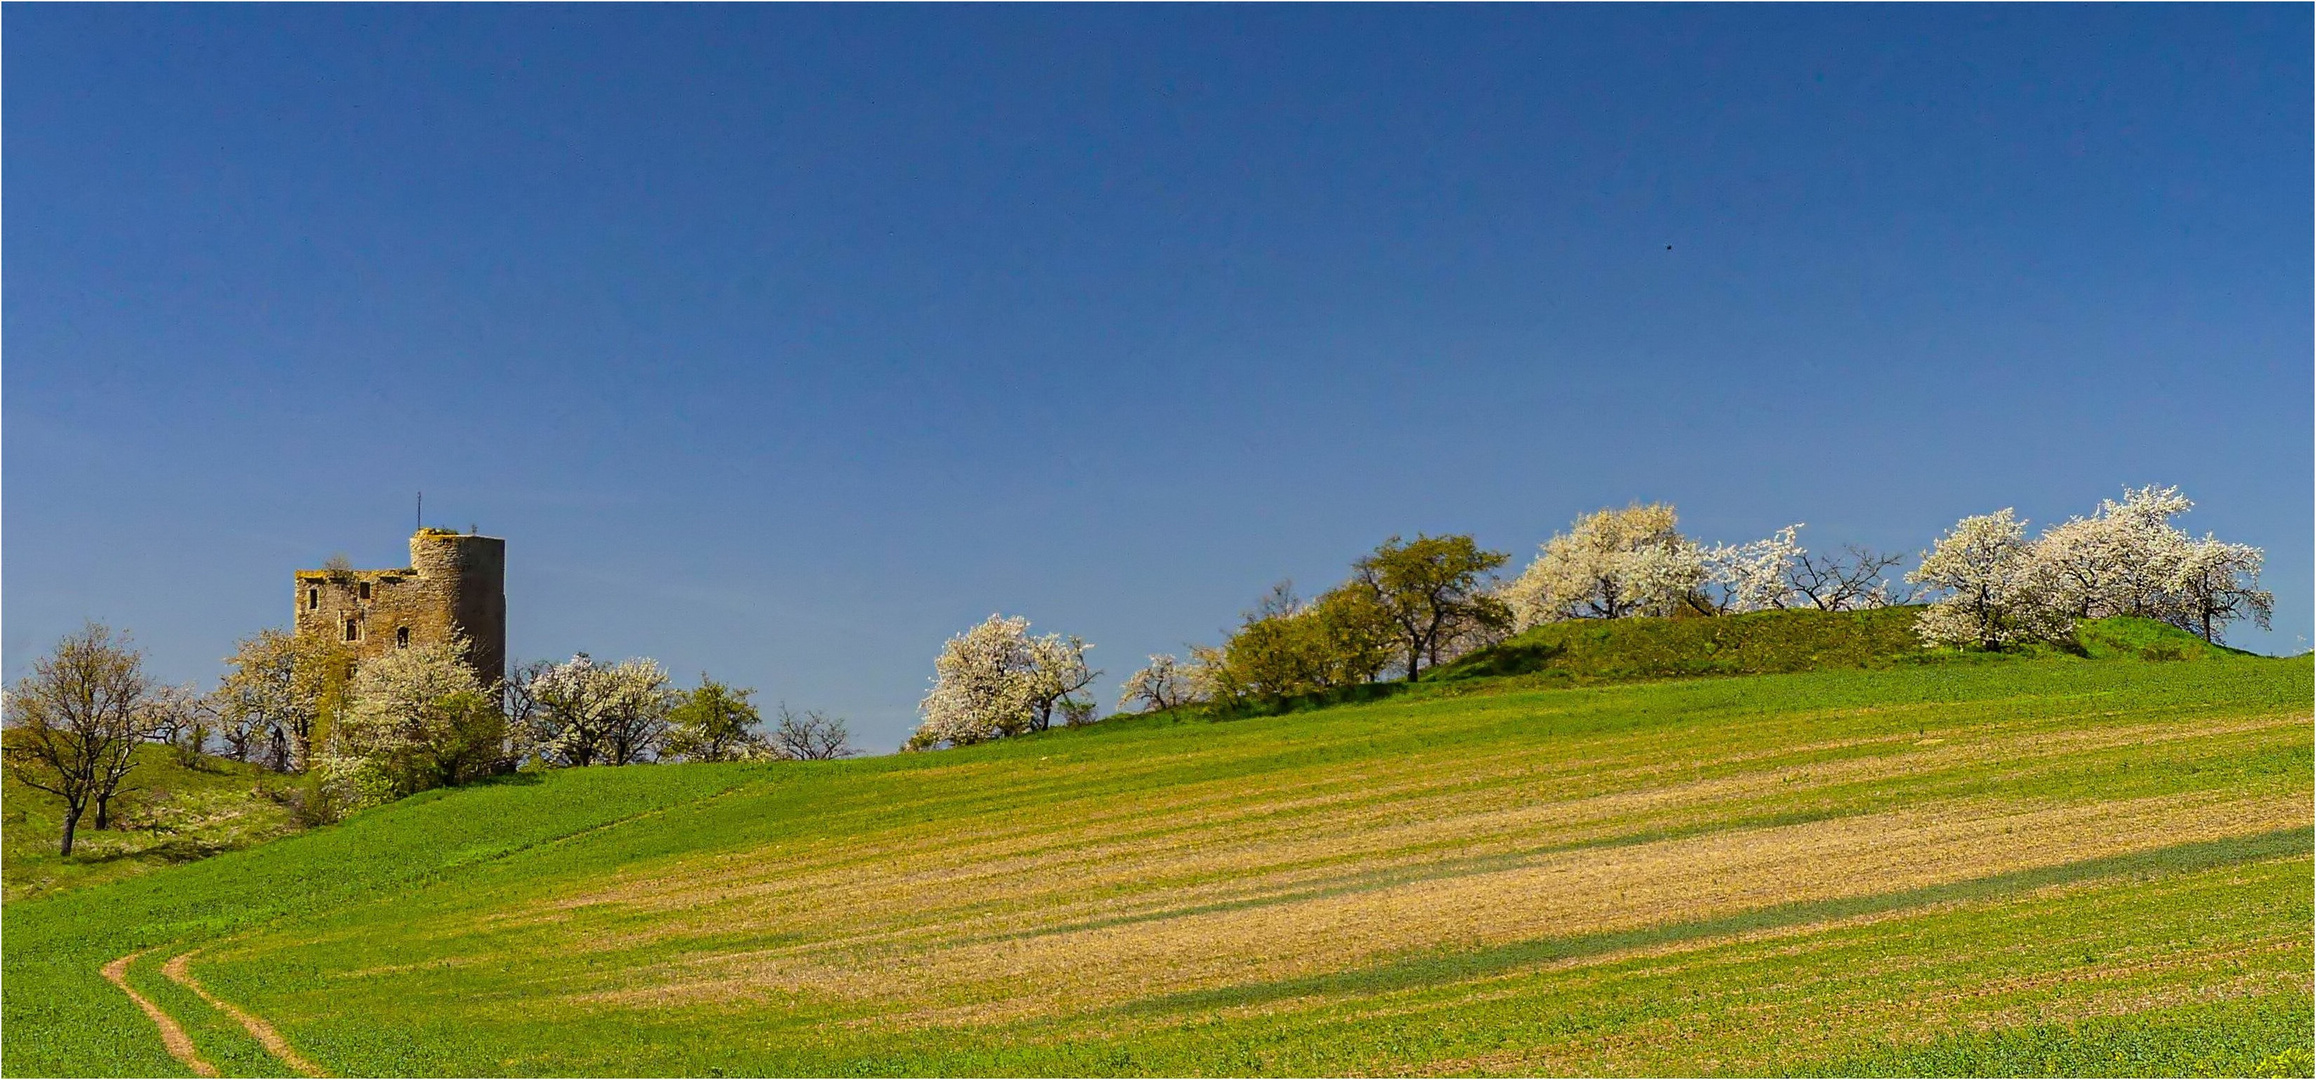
(367, 734)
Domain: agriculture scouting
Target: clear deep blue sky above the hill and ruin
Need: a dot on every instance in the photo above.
(786, 342)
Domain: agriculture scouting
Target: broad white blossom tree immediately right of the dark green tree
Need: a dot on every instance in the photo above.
(1611, 564)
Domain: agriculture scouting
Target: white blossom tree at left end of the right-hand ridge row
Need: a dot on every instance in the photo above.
(997, 680)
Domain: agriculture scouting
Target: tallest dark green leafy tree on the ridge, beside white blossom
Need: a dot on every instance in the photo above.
(1432, 592)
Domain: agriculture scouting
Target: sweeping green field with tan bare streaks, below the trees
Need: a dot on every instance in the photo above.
(2016, 868)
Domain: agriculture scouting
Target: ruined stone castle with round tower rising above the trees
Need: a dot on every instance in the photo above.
(455, 583)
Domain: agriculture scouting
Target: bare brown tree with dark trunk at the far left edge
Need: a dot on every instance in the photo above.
(78, 720)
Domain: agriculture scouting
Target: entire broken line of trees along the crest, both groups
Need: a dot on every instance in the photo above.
(423, 720)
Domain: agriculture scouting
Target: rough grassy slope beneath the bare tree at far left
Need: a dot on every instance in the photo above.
(170, 815)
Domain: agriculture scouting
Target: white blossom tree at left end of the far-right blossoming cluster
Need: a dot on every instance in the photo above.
(1984, 574)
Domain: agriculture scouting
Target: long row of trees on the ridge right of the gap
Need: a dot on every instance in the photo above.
(1416, 604)
